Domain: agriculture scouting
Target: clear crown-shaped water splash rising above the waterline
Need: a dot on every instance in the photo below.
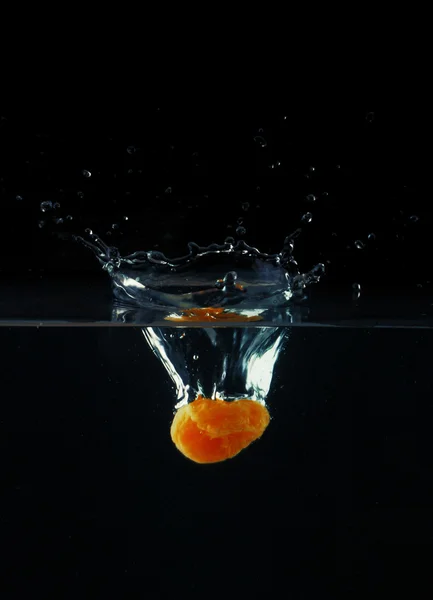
(210, 283)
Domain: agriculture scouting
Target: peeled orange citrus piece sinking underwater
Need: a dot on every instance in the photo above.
(209, 431)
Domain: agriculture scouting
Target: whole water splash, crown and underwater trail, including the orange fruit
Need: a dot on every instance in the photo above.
(213, 304)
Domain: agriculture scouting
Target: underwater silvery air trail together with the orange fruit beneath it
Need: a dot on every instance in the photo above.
(222, 377)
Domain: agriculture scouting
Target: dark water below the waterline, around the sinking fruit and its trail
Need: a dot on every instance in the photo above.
(92, 485)
